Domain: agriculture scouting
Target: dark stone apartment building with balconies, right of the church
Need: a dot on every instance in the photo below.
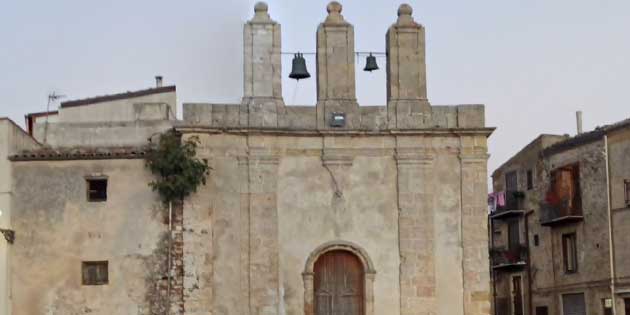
(560, 242)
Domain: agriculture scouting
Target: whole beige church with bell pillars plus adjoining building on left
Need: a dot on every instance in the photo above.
(385, 214)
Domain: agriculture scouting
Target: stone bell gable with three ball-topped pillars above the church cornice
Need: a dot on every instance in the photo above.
(407, 105)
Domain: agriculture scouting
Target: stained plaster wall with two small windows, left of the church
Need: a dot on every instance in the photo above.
(57, 229)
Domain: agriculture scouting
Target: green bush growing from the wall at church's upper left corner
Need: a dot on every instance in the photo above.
(174, 161)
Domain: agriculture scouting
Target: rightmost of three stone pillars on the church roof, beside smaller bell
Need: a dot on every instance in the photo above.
(407, 102)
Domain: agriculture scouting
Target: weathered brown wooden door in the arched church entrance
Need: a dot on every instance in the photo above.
(339, 283)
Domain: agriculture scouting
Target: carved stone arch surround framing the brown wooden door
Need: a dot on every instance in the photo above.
(368, 273)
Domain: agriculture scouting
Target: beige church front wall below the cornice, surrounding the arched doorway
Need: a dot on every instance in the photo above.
(272, 200)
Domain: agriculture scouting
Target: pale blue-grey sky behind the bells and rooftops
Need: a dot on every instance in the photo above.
(532, 63)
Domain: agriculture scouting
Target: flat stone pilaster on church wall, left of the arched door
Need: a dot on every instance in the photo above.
(263, 233)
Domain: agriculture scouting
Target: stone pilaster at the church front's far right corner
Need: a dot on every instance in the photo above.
(474, 226)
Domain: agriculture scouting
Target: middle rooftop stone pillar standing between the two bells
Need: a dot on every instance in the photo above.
(336, 90)
